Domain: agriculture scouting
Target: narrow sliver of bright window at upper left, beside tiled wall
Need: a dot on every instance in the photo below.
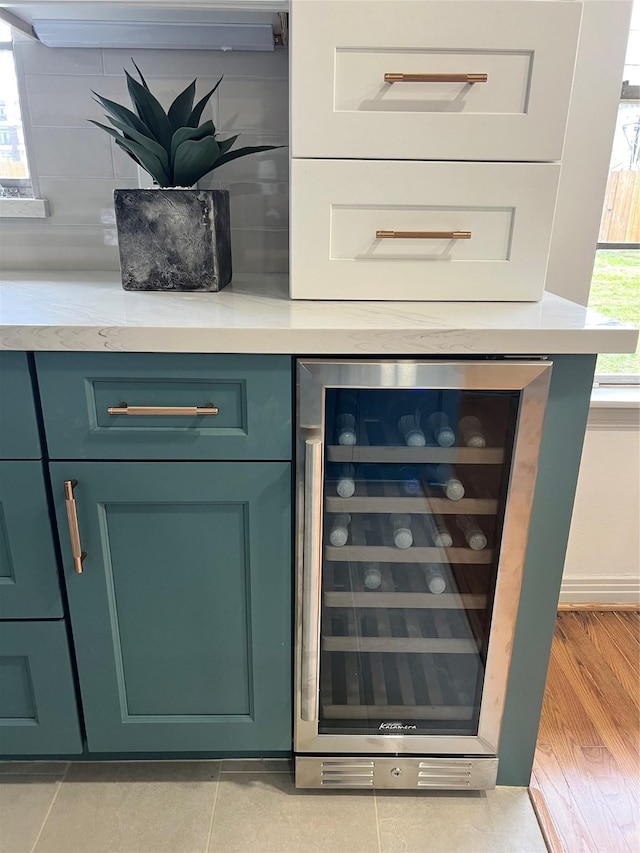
(14, 167)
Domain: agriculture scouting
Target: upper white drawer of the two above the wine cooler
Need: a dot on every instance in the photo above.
(341, 105)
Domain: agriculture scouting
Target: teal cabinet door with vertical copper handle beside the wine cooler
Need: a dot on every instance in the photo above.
(181, 617)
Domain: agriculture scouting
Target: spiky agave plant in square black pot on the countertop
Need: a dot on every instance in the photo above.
(172, 237)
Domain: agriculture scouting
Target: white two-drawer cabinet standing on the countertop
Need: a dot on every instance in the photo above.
(426, 137)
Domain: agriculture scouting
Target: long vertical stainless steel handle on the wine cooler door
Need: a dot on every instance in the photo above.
(311, 579)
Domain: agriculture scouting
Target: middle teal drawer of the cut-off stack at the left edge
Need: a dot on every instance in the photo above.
(29, 587)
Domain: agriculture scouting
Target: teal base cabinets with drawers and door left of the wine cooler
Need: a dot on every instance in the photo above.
(180, 619)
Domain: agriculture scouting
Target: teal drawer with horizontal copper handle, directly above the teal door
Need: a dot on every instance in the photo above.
(252, 395)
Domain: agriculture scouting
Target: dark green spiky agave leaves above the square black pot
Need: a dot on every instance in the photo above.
(171, 145)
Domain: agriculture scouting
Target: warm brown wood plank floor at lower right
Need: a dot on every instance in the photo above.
(586, 775)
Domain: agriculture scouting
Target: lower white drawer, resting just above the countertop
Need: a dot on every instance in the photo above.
(338, 206)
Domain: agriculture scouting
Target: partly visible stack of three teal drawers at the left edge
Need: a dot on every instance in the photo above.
(38, 709)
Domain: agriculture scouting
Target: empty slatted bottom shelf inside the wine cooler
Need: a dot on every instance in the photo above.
(396, 686)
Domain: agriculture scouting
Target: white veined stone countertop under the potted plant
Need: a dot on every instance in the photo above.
(90, 311)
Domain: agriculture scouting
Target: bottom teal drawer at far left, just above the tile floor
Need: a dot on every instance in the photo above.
(38, 710)
